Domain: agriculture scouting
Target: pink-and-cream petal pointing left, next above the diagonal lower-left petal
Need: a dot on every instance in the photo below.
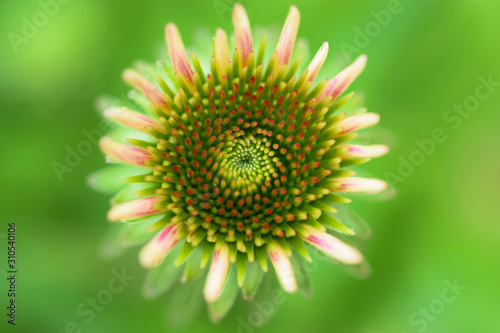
(137, 208)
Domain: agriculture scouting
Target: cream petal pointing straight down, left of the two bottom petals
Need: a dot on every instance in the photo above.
(217, 274)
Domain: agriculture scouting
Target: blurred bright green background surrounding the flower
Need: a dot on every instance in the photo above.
(441, 225)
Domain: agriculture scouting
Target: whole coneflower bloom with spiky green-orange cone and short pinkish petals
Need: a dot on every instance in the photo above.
(240, 166)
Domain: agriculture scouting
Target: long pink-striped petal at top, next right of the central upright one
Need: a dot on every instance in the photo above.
(287, 38)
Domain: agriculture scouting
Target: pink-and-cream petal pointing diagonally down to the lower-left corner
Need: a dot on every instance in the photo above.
(153, 253)
